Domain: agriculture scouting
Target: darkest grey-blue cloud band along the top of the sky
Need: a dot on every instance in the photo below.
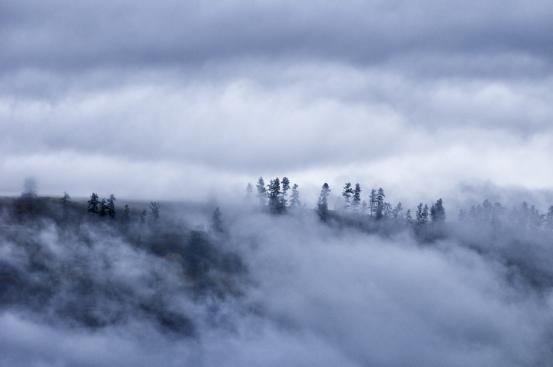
(69, 35)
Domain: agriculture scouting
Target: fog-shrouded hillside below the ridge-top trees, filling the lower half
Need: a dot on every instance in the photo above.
(268, 289)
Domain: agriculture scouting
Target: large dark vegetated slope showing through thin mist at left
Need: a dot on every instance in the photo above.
(67, 262)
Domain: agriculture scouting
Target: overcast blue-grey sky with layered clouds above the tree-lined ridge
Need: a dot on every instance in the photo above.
(171, 99)
